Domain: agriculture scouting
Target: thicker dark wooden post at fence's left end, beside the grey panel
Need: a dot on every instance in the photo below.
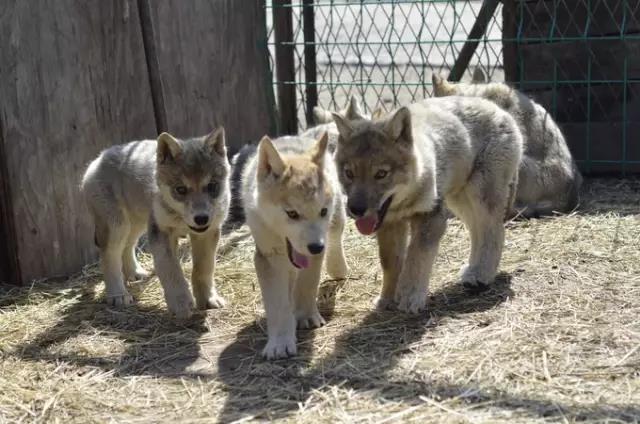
(285, 66)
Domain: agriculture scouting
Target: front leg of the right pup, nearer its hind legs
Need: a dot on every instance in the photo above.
(426, 231)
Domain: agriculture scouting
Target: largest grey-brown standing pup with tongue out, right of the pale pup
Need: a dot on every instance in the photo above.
(397, 172)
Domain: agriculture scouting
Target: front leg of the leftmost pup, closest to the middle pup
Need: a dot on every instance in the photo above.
(203, 251)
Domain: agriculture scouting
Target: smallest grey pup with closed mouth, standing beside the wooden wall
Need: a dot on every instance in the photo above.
(176, 187)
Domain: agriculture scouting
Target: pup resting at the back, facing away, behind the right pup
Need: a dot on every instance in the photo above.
(549, 180)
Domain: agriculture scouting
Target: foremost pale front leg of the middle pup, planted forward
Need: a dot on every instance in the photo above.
(276, 279)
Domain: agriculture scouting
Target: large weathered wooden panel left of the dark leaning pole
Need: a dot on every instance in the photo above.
(73, 81)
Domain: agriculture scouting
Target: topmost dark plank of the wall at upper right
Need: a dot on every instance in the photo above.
(577, 18)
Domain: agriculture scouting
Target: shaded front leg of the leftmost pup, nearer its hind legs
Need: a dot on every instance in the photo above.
(163, 244)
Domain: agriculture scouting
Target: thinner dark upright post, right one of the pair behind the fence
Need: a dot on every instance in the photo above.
(310, 69)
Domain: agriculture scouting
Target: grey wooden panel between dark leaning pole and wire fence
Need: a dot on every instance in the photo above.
(214, 67)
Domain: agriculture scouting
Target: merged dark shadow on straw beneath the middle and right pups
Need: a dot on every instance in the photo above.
(361, 359)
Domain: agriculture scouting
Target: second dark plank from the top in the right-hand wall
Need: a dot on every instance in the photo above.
(570, 60)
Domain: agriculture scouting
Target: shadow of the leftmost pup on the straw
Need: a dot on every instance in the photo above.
(155, 343)
